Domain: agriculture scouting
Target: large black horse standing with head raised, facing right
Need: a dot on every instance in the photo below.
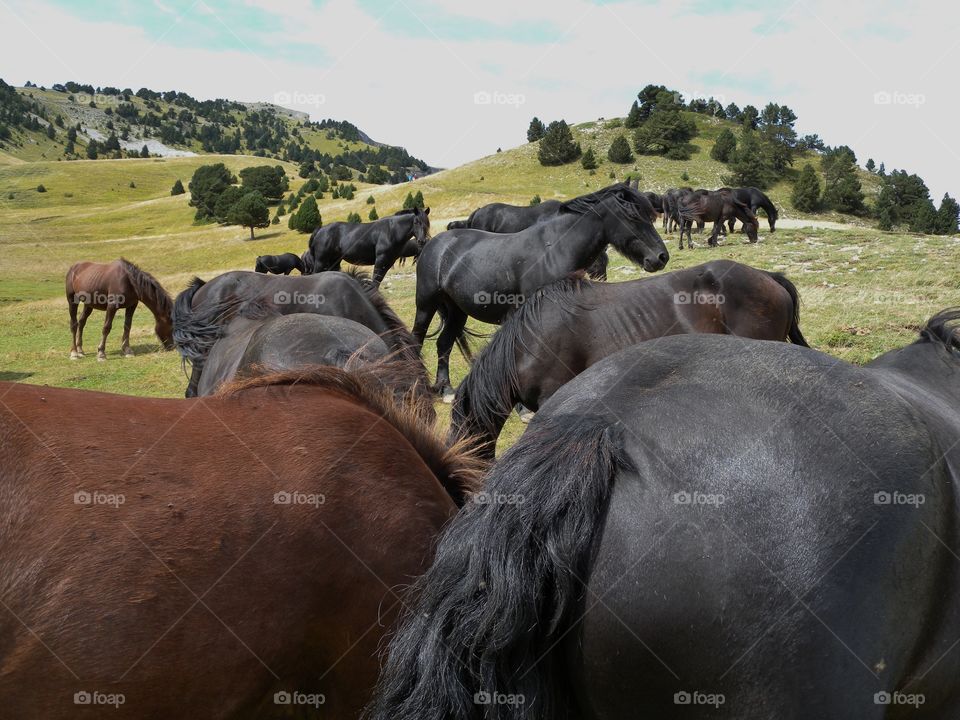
(471, 273)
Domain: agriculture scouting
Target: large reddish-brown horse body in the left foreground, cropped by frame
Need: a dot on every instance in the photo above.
(224, 557)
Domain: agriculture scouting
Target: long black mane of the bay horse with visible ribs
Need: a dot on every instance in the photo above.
(488, 393)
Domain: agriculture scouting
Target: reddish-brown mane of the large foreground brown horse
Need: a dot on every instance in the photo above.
(458, 467)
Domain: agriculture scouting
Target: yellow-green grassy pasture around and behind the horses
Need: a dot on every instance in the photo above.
(863, 291)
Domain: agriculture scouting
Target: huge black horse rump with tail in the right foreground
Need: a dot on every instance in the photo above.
(793, 557)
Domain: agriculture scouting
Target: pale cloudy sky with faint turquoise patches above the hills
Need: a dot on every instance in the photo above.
(877, 76)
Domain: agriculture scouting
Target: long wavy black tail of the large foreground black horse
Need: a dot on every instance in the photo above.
(505, 585)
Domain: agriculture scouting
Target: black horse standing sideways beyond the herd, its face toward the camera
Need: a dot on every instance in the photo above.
(379, 243)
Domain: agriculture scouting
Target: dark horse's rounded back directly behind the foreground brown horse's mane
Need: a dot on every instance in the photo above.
(268, 342)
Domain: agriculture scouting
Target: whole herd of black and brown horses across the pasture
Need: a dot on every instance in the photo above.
(701, 519)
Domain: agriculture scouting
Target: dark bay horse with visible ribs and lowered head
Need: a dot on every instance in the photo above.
(573, 323)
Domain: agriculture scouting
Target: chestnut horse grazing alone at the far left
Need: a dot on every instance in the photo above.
(109, 287)
